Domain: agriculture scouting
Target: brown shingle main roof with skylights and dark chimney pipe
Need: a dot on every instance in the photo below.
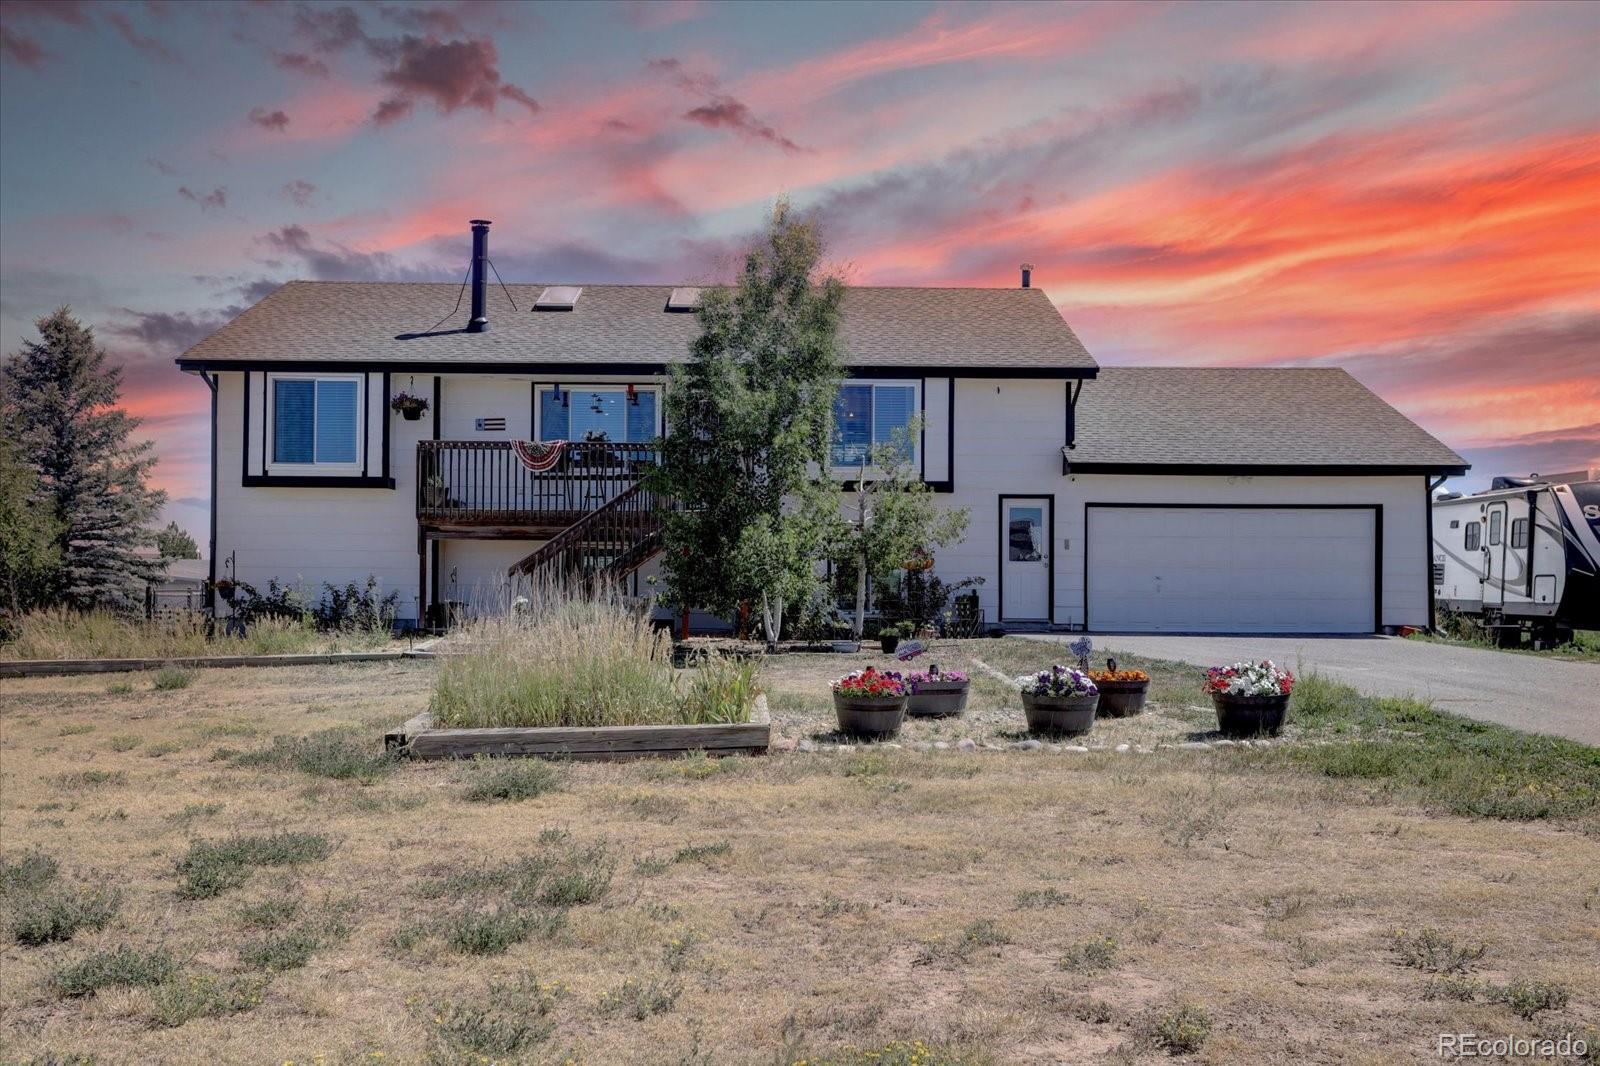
(622, 326)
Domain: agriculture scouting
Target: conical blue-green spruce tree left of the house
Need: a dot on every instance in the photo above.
(62, 396)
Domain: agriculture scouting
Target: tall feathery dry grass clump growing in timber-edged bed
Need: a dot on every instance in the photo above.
(582, 662)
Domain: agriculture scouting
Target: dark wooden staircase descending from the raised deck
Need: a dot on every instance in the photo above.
(609, 543)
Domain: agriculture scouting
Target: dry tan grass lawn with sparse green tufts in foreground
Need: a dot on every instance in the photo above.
(1001, 907)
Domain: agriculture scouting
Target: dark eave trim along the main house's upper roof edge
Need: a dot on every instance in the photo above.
(313, 366)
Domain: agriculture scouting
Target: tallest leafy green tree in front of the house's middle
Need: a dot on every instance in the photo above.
(751, 415)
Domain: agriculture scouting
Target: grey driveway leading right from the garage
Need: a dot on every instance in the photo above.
(1526, 692)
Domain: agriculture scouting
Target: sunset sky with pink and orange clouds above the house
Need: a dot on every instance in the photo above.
(1407, 191)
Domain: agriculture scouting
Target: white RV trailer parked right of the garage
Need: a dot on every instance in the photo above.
(1526, 555)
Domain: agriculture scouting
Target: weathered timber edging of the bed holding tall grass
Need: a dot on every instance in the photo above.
(420, 740)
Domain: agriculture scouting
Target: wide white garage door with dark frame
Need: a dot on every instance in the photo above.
(1231, 569)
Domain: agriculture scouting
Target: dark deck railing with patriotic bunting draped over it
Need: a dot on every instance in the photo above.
(482, 483)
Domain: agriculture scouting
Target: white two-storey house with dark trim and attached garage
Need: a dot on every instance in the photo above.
(1183, 500)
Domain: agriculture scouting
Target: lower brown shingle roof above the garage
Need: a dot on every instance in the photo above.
(1191, 417)
